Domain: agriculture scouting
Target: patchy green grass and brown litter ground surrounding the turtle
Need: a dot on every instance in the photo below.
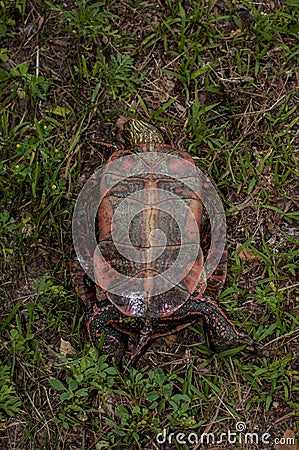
(226, 74)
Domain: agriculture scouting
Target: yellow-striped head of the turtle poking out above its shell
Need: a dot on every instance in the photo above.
(138, 132)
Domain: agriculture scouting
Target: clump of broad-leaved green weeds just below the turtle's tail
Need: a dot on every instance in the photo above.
(144, 395)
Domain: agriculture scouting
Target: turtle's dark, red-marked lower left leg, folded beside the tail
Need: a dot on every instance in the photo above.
(100, 327)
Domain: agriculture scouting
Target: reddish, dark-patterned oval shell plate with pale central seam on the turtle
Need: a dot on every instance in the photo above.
(149, 260)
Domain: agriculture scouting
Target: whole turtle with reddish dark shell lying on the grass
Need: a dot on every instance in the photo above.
(146, 309)
